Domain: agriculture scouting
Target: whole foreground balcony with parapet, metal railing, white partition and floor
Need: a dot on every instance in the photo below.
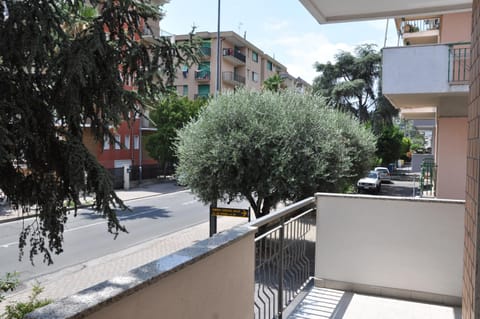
(362, 253)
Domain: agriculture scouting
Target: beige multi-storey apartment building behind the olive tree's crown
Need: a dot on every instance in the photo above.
(242, 64)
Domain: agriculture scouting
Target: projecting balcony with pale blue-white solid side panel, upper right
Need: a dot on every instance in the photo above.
(419, 76)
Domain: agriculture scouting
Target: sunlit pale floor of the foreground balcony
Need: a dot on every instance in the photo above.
(322, 303)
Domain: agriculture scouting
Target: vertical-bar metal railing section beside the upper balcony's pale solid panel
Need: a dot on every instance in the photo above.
(459, 62)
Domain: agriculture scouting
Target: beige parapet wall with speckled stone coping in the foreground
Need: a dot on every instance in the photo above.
(211, 279)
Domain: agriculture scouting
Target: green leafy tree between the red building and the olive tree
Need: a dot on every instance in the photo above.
(170, 114)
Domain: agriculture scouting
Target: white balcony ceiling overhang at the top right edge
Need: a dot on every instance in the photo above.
(327, 11)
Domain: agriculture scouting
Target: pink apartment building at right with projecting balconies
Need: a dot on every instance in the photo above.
(427, 77)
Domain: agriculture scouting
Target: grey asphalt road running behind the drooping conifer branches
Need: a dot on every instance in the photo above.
(86, 235)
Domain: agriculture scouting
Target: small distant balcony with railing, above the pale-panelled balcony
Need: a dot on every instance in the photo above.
(420, 31)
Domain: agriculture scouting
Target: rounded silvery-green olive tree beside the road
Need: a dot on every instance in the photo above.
(269, 147)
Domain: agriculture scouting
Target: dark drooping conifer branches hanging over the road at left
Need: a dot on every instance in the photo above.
(60, 71)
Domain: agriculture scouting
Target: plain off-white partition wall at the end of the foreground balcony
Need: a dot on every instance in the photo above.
(386, 242)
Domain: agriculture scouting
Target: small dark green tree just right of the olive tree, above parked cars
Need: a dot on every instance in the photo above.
(389, 144)
